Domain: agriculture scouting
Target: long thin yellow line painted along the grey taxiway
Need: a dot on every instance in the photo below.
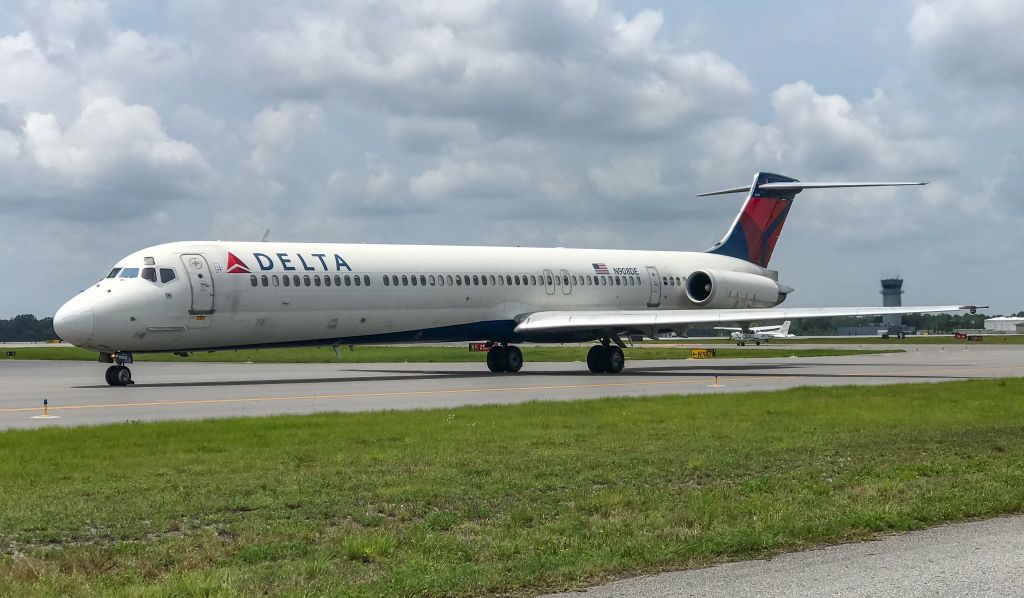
(882, 374)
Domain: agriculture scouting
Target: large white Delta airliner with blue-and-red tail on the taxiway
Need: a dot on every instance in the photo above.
(206, 296)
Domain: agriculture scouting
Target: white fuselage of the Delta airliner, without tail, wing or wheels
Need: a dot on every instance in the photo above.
(336, 294)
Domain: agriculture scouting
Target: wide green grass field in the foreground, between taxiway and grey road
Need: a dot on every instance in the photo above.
(495, 500)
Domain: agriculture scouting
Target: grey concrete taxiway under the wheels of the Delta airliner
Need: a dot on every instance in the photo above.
(77, 395)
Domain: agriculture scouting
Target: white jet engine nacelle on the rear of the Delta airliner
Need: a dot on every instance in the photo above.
(726, 290)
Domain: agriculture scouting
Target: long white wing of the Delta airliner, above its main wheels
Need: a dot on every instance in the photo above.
(616, 322)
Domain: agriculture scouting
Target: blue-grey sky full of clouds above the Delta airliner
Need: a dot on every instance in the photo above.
(580, 123)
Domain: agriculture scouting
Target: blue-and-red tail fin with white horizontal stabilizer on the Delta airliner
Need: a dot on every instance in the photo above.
(756, 230)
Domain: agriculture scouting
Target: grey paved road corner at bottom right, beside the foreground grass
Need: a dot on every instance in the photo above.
(979, 561)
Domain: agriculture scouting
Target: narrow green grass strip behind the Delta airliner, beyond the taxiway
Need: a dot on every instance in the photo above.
(425, 355)
